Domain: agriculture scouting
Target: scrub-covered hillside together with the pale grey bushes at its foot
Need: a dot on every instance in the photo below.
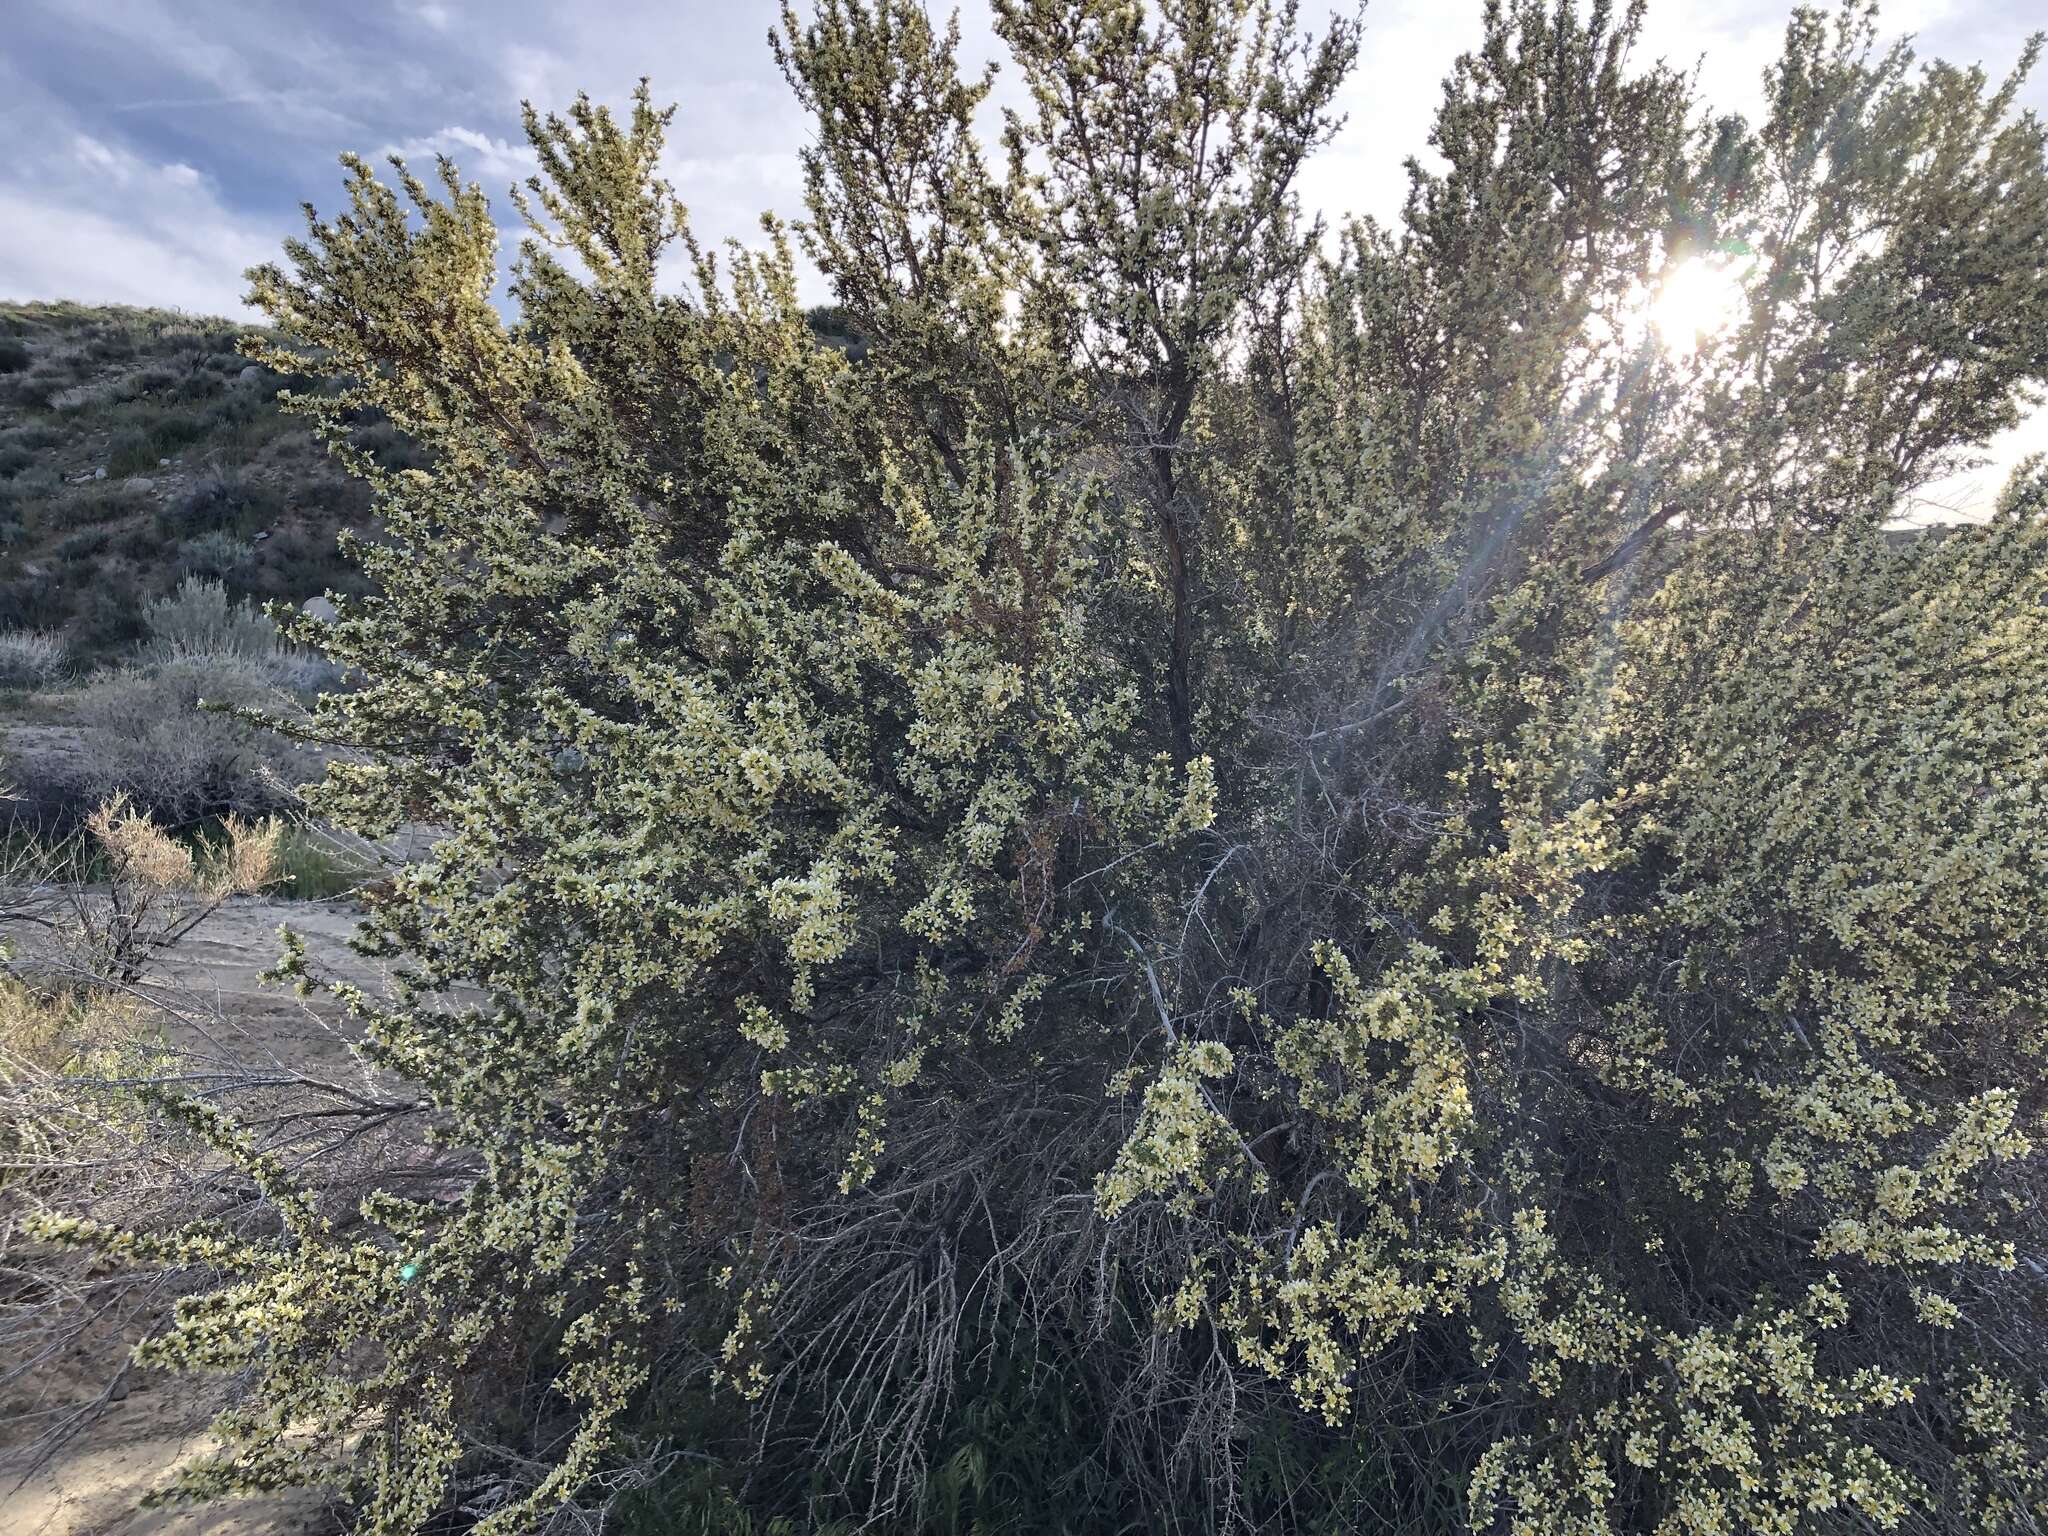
(153, 499)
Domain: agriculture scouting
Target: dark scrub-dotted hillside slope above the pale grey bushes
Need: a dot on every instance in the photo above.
(138, 450)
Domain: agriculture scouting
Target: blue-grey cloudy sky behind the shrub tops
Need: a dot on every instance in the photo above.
(157, 148)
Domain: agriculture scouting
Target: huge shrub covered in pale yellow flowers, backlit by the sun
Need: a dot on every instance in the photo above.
(1388, 882)
